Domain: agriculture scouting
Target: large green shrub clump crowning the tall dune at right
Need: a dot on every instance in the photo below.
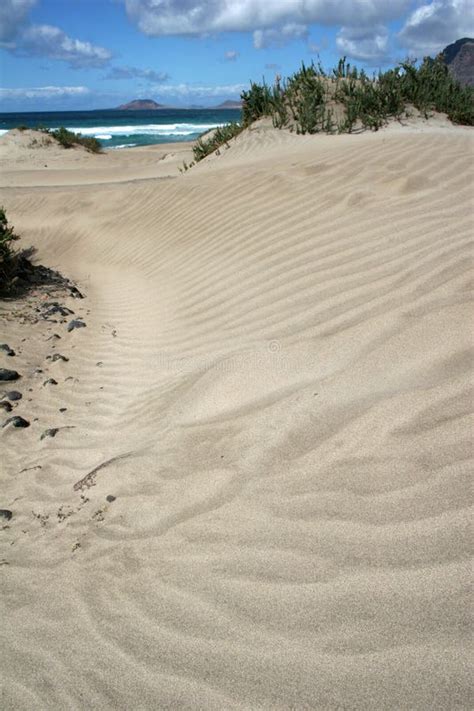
(312, 101)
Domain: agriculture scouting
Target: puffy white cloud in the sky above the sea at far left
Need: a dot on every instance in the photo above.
(51, 42)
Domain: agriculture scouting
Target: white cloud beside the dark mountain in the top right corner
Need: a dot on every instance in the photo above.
(434, 25)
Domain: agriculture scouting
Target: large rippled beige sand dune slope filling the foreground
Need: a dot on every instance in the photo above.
(283, 422)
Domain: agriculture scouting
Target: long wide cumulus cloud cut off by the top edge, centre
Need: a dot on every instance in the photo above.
(197, 17)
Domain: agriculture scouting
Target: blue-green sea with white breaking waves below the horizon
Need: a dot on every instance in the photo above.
(125, 129)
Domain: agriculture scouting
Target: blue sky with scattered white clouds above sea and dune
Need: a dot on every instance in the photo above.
(58, 55)
